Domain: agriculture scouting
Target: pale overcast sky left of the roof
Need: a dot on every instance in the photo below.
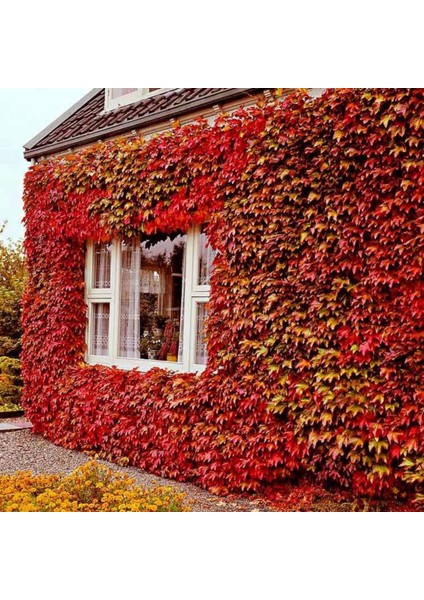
(23, 114)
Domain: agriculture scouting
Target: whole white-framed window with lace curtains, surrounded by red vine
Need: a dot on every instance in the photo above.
(148, 301)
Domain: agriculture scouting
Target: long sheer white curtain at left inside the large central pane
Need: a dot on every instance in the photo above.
(129, 336)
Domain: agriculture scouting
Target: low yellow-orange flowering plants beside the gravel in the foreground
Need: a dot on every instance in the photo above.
(90, 488)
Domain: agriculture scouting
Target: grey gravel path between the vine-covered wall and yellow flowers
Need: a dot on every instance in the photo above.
(25, 451)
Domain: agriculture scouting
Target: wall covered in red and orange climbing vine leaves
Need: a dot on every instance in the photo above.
(315, 334)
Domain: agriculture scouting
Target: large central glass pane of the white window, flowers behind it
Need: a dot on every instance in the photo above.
(152, 298)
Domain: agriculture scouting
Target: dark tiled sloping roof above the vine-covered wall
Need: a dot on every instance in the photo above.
(87, 121)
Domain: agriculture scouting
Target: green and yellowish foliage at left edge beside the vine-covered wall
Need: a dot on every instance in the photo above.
(12, 282)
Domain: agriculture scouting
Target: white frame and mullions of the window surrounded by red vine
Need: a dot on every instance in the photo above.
(193, 295)
